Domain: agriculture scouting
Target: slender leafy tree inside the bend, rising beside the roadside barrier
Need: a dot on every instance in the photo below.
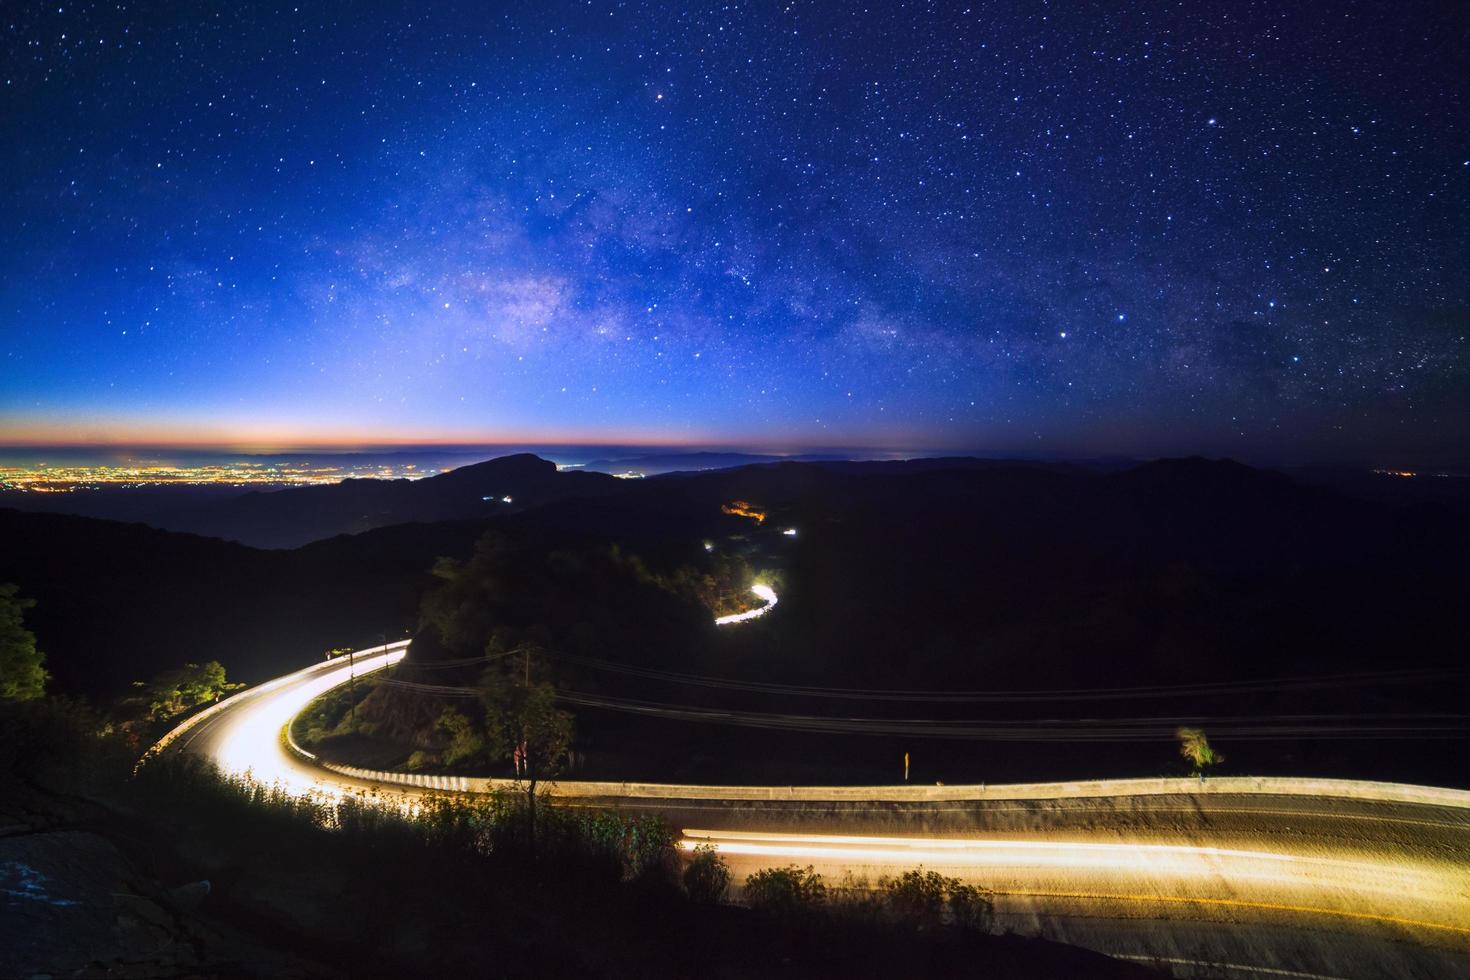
(524, 725)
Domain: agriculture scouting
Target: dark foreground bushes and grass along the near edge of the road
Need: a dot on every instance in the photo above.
(471, 887)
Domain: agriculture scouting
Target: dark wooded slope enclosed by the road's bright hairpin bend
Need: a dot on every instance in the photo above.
(509, 628)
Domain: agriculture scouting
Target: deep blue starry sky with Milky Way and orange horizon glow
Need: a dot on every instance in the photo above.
(1012, 228)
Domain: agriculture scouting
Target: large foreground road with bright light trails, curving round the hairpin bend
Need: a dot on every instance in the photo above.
(1236, 878)
